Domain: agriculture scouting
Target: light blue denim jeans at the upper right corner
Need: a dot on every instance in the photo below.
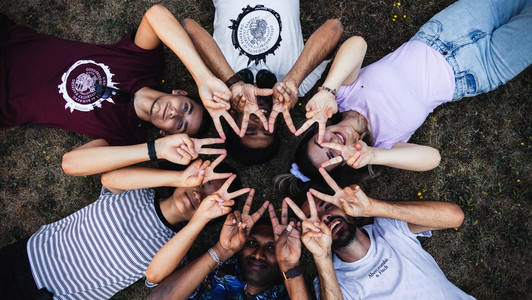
(486, 42)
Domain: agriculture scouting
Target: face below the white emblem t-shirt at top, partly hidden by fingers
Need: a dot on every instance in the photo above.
(256, 135)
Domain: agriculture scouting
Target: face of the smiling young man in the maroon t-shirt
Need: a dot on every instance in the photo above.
(176, 114)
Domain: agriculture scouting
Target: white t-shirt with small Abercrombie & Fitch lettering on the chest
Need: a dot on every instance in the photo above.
(395, 267)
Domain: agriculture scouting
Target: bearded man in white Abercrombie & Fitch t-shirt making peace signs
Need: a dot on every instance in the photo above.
(383, 260)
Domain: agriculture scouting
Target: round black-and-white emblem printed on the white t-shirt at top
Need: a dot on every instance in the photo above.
(257, 32)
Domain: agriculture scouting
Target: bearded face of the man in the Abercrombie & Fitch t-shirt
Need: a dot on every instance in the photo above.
(343, 227)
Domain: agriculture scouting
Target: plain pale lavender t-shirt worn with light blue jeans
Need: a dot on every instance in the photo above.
(398, 92)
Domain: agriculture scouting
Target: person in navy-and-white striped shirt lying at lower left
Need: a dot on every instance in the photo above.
(107, 245)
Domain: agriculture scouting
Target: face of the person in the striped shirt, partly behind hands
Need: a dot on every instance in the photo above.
(187, 200)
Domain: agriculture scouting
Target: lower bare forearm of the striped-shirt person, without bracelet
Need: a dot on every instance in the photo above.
(170, 255)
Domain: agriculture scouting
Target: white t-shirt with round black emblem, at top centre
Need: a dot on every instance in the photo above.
(262, 35)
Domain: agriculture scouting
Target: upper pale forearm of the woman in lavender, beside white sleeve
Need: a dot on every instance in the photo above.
(347, 63)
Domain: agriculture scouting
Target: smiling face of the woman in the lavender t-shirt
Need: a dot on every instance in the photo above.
(338, 134)
